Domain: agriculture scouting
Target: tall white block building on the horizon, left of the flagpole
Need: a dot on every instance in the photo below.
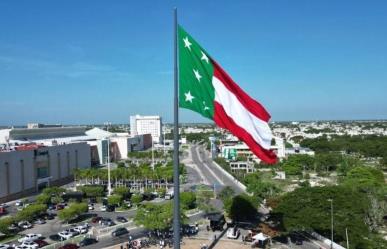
(140, 125)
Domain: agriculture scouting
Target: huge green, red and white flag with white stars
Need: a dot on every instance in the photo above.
(206, 88)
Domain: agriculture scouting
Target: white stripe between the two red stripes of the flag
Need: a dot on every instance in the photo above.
(257, 128)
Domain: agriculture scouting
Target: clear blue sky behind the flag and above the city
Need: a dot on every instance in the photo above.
(77, 62)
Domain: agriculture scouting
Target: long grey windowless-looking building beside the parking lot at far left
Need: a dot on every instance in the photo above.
(27, 168)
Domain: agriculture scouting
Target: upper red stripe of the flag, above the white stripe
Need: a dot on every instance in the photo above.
(249, 103)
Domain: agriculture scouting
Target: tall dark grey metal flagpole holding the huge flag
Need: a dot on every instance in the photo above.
(176, 188)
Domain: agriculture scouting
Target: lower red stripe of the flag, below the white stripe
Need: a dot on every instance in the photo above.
(224, 121)
